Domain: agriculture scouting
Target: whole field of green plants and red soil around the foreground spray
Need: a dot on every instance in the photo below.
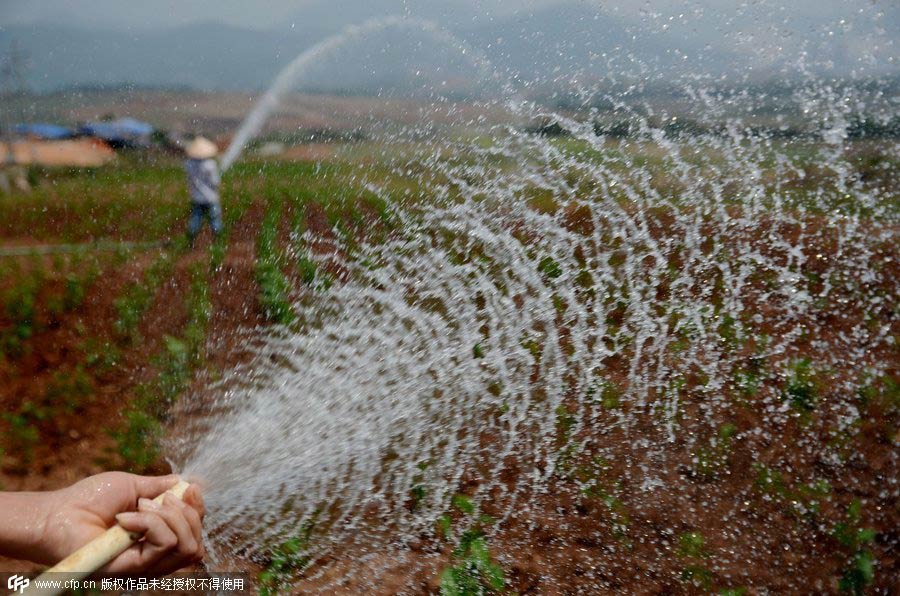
(95, 347)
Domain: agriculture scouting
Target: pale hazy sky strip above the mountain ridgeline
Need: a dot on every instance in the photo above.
(269, 13)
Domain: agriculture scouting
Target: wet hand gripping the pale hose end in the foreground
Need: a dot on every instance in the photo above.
(78, 514)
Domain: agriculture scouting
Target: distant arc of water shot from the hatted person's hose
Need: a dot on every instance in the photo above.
(293, 73)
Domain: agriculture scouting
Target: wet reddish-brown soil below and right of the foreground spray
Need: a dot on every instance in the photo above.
(563, 541)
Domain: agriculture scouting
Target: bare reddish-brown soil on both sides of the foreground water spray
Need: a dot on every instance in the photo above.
(560, 541)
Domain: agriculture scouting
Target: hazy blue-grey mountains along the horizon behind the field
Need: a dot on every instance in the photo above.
(565, 42)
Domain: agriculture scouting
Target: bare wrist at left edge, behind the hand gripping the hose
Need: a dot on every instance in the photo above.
(23, 525)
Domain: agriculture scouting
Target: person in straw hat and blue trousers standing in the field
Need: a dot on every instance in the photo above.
(203, 180)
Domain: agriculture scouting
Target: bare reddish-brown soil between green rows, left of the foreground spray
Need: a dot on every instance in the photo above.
(75, 446)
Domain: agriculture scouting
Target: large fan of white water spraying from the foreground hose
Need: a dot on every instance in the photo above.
(434, 338)
